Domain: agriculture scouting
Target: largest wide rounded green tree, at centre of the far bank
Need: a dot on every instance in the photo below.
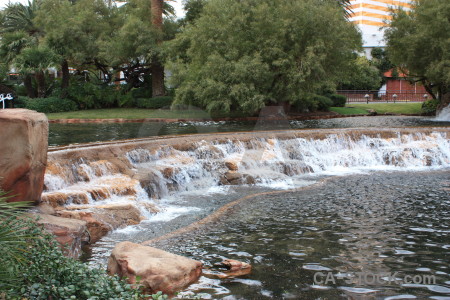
(248, 54)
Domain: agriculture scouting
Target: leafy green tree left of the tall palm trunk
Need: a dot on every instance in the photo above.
(72, 30)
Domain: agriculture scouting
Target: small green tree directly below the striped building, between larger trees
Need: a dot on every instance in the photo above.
(362, 76)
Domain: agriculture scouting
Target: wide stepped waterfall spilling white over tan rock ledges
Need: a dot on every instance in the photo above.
(141, 173)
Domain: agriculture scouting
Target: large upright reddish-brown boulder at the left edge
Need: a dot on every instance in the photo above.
(23, 153)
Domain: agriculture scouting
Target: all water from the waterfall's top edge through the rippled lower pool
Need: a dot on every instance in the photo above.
(385, 212)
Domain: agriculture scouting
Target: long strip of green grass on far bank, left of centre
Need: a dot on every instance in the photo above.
(138, 113)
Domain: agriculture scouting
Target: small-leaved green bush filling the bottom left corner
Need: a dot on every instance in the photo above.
(45, 273)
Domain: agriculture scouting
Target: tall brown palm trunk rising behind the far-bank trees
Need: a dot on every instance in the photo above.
(157, 67)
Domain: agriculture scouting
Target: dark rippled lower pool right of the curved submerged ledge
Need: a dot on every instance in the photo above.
(395, 223)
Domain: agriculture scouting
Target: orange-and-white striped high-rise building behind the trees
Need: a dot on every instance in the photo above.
(371, 16)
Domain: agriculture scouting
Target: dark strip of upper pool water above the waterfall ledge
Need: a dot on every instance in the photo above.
(64, 134)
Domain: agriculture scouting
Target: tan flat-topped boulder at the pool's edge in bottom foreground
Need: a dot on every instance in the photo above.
(158, 270)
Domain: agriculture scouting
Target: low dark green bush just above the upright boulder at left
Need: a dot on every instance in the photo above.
(46, 105)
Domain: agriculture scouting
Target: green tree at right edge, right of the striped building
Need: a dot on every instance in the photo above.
(418, 42)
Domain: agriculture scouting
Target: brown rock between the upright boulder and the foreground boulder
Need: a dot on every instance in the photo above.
(71, 234)
